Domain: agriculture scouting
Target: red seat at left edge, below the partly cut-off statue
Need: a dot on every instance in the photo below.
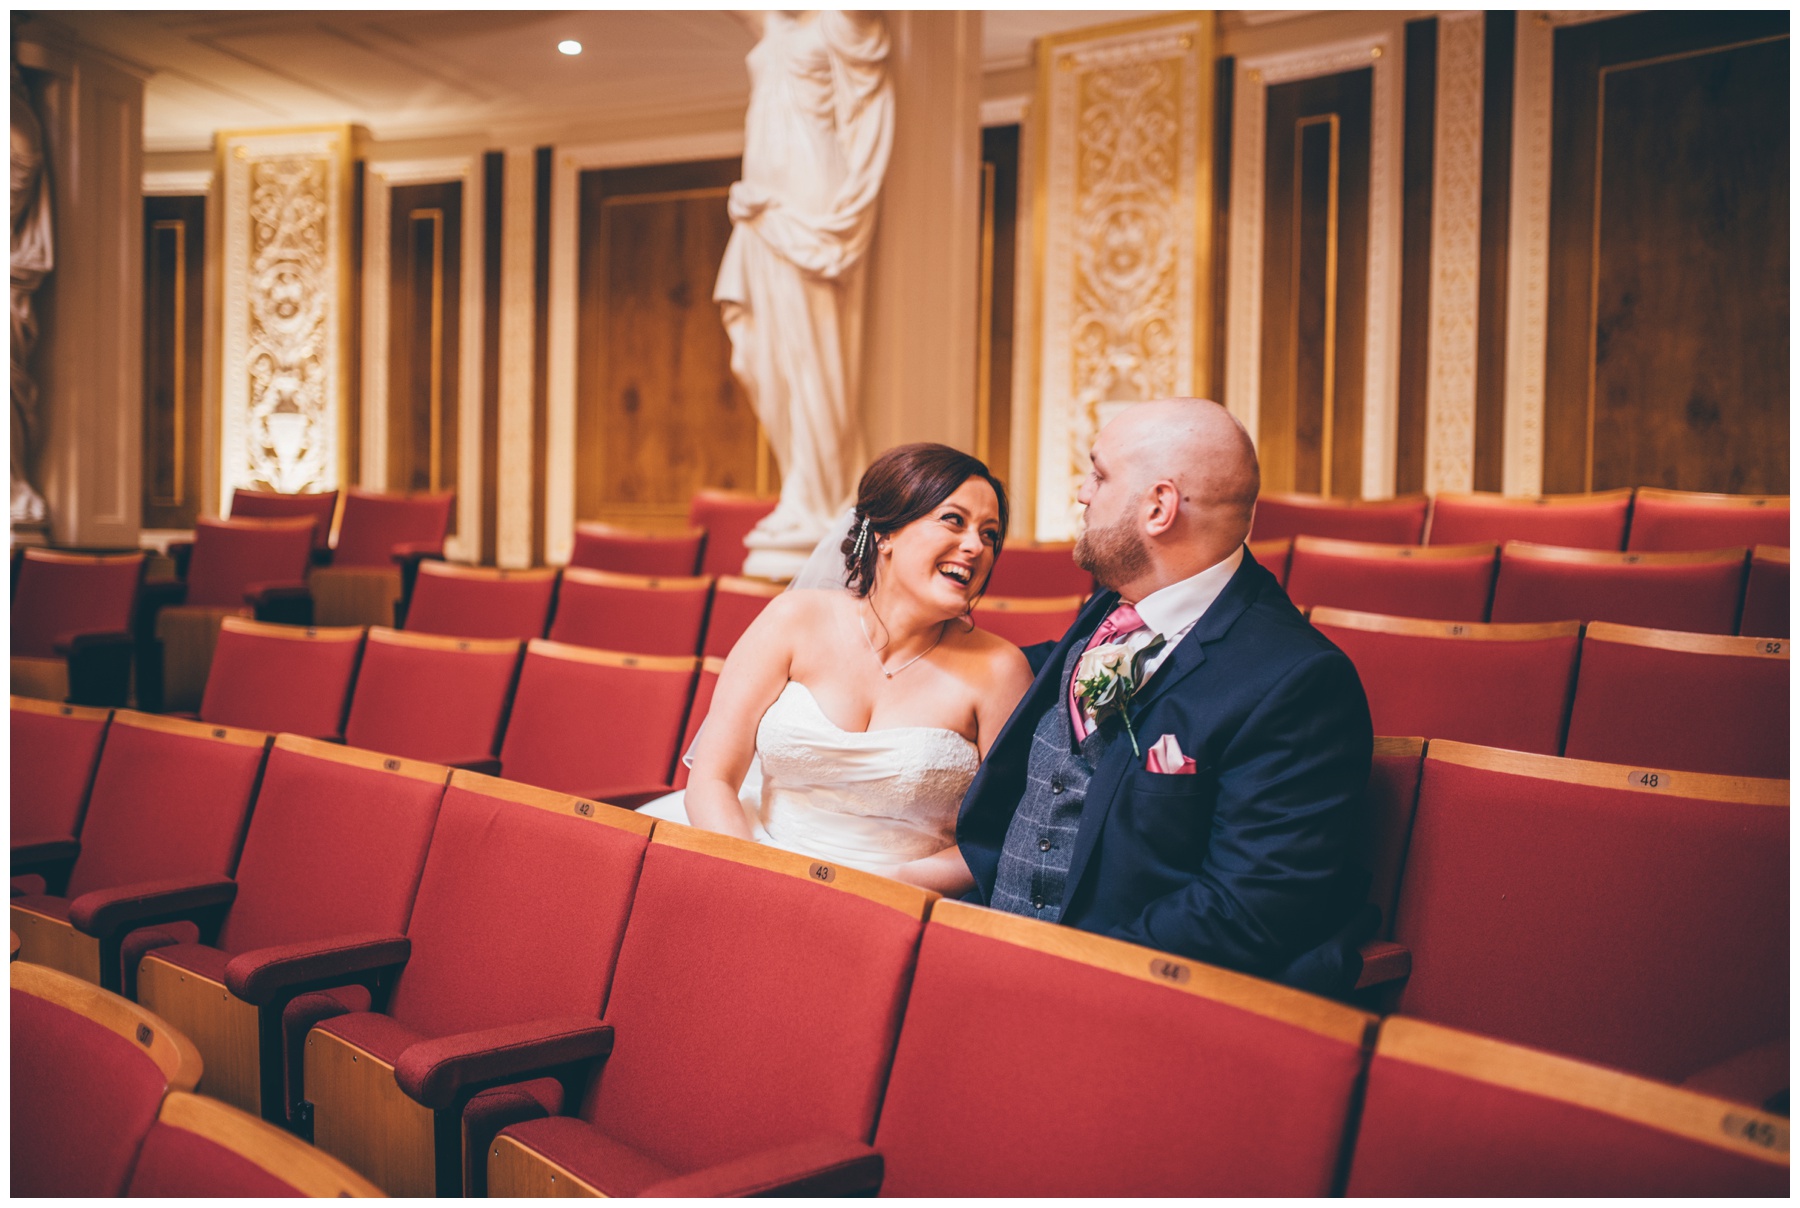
(73, 626)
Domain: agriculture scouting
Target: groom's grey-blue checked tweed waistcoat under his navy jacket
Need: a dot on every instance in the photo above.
(1034, 869)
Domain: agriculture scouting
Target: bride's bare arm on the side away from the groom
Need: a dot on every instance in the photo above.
(751, 680)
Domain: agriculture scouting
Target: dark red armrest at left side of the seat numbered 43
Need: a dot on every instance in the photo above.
(438, 1074)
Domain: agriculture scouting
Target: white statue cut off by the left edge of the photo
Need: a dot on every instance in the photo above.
(33, 260)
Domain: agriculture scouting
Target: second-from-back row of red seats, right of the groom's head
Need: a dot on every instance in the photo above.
(1718, 591)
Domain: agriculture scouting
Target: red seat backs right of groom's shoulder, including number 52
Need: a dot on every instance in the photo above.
(1603, 692)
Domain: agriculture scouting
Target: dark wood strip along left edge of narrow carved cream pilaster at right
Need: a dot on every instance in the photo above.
(1416, 255)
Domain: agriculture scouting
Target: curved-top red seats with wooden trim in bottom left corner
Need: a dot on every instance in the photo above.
(103, 1106)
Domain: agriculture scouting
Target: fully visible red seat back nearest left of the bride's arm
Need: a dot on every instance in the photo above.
(597, 723)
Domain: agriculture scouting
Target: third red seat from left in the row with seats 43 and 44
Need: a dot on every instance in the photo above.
(327, 881)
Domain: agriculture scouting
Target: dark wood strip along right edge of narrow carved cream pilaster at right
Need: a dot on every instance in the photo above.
(1497, 217)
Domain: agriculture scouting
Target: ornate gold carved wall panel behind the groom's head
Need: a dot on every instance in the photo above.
(1122, 235)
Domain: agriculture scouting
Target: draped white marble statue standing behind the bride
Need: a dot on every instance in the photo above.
(791, 287)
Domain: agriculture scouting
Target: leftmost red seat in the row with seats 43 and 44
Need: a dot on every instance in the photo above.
(55, 753)
